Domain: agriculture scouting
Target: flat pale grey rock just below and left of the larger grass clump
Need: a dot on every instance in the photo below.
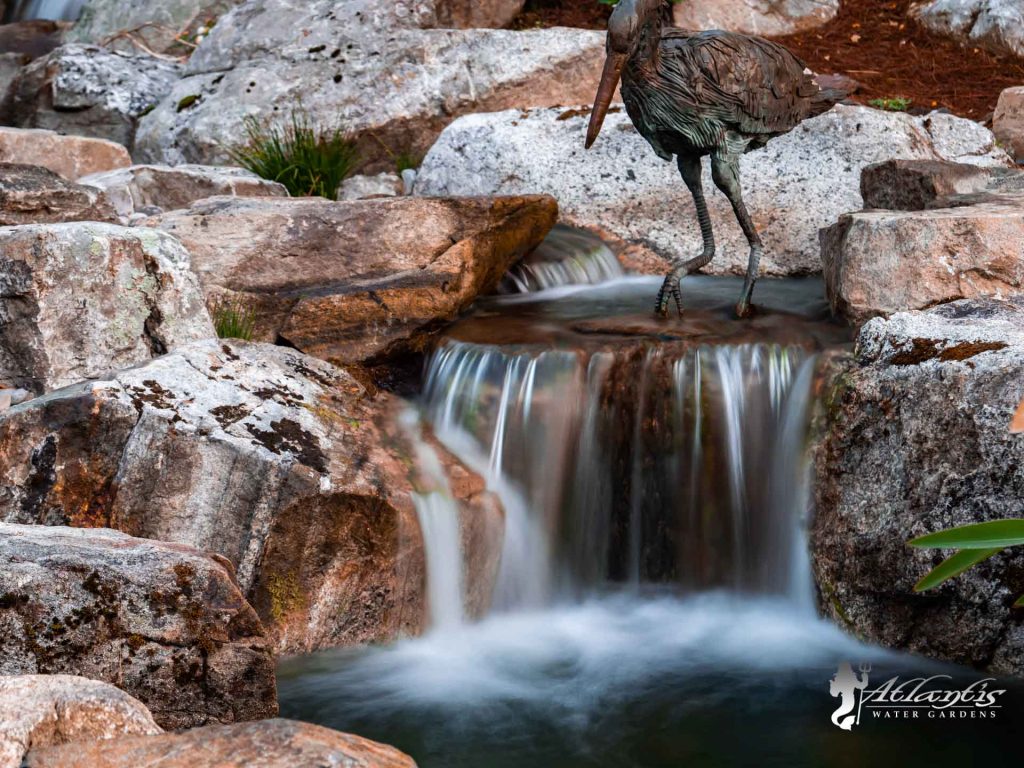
(160, 188)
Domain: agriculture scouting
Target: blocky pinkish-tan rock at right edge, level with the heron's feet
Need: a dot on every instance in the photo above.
(879, 263)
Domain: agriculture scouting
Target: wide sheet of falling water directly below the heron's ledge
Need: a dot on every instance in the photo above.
(647, 464)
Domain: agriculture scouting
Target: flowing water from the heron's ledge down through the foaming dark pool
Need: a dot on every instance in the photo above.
(655, 606)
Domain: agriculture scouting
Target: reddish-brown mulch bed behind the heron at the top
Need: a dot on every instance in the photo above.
(873, 41)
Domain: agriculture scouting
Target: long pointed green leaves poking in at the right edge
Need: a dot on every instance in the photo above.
(975, 543)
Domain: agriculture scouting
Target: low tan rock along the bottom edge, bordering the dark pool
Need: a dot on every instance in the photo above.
(274, 744)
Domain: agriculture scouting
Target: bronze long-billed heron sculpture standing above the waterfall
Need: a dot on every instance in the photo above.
(697, 94)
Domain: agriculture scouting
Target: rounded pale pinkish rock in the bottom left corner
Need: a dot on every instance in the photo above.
(42, 711)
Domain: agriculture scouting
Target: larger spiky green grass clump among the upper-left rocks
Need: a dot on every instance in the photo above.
(311, 161)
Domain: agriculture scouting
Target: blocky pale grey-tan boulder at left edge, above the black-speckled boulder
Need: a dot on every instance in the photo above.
(81, 300)
